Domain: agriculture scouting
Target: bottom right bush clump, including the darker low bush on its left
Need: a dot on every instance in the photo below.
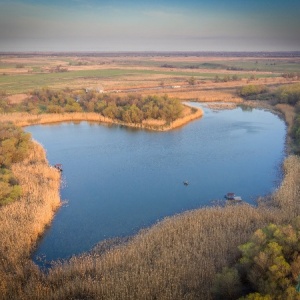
(268, 269)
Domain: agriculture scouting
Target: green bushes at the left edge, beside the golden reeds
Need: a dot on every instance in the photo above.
(14, 146)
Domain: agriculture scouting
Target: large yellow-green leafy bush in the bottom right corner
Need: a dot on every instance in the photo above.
(271, 261)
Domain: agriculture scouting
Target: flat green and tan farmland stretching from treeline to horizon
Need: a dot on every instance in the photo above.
(185, 76)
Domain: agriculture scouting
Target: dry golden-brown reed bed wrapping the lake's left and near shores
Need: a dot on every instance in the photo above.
(177, 258)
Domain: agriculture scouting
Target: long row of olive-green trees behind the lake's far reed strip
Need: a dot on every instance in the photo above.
(128, 109)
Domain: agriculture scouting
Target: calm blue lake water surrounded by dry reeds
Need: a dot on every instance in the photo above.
(119, 180)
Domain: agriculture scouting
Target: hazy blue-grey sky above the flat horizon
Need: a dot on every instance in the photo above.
(165, 25)
